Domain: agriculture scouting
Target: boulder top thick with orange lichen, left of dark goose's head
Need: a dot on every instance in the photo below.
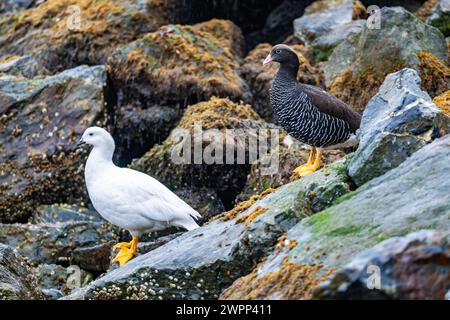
(181, 62)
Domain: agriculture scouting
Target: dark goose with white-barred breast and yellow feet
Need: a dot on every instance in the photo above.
(309, 114)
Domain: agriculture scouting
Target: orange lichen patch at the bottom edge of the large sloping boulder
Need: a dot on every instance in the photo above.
(291, 281)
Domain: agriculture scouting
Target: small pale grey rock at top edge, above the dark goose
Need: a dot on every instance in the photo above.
(322, 17)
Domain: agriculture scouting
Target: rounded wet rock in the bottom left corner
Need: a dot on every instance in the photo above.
(17, 281)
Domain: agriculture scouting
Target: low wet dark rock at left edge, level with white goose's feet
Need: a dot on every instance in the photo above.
(54, 243)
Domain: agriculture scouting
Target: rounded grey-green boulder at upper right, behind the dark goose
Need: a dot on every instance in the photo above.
(399, 39)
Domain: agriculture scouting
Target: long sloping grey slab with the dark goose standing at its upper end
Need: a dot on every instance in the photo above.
(201, 263)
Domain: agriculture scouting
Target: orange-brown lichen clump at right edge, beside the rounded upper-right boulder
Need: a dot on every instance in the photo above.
(434, 72)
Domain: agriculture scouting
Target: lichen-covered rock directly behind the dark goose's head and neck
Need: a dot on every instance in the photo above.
(260, 77)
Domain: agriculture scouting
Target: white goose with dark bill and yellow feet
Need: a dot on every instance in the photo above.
(130, 199)
